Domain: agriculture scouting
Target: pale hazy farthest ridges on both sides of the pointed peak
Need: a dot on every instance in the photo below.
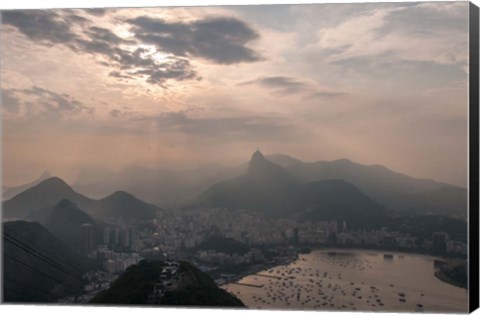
(391, 189)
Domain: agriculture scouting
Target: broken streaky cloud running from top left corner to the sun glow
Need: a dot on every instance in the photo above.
(55, 27)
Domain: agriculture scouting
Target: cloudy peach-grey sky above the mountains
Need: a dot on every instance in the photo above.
(181, 87)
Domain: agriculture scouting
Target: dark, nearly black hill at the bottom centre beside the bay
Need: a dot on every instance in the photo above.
(136, 284)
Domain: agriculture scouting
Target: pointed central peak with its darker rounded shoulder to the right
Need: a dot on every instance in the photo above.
(271, 190)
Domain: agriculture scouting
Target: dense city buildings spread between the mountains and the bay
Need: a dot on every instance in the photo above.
(254, 243)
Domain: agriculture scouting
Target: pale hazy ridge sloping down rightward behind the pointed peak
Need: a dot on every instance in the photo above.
(389, 188)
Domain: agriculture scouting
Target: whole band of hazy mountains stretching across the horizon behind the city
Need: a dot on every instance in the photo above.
(275, 185)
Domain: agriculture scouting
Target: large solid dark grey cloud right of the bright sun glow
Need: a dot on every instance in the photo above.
(222, 40)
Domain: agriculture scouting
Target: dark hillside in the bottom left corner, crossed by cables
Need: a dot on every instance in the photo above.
(37, 267)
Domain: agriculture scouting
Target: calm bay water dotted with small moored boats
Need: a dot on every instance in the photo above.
(352, 280)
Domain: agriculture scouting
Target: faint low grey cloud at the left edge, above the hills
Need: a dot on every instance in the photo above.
(38, 101)
